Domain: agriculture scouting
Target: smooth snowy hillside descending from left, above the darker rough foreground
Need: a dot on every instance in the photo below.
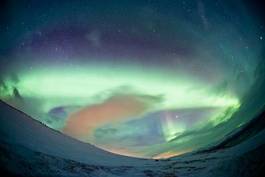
(19, 129)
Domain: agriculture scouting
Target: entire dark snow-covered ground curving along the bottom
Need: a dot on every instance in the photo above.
(29, 148)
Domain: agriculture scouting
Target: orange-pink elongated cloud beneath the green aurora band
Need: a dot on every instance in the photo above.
(119, 107)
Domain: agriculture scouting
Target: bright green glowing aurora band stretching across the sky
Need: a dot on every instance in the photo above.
(92, 85)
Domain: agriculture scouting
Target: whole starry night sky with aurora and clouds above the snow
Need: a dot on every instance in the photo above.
(143, 79)
